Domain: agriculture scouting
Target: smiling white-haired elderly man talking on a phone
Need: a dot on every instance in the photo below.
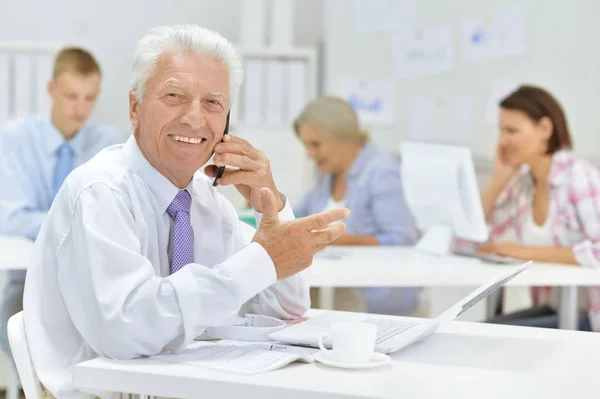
(138, 254)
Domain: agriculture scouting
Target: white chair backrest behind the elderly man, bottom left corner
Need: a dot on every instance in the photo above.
(20, 349)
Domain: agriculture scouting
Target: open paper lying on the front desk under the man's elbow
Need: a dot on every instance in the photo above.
(233, 357)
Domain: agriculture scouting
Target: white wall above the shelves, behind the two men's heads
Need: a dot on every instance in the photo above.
(110, 29)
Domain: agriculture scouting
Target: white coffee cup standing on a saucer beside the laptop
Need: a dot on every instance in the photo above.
(352, 342)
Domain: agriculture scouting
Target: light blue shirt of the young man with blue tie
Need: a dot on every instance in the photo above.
(28, 156)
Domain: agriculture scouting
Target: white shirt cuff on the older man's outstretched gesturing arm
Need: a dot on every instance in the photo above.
(251, 270)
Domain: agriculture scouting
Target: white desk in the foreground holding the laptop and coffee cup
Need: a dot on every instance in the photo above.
(462, 360)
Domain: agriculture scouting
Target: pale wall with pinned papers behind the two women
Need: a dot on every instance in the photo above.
(562, 57)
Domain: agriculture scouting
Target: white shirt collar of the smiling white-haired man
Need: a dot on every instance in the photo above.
(161, 187)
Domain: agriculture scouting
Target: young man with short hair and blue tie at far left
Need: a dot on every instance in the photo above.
(37, 154)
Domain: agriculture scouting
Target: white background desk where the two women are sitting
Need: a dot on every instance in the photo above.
(401, 267)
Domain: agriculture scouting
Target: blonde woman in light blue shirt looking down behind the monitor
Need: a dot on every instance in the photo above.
(356, 175)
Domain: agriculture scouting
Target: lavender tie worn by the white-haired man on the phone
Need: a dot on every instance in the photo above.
(183, 234)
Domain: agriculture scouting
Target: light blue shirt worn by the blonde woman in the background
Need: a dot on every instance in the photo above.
(374, 196)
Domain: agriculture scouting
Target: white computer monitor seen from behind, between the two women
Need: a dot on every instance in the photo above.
(441, 190)
